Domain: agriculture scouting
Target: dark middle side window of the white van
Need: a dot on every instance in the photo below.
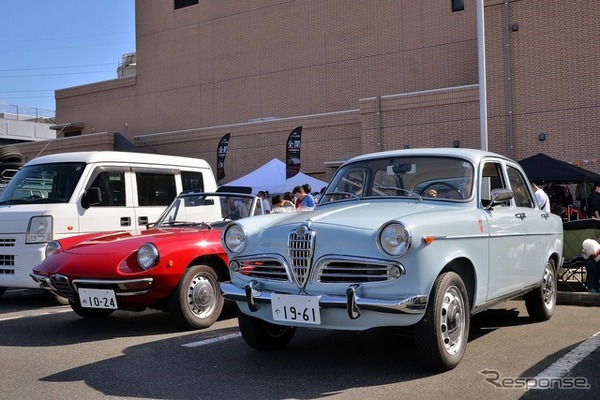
(155, 189)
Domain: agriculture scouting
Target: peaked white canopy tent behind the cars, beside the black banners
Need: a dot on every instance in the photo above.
(271, 178)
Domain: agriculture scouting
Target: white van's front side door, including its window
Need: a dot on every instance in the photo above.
(116, 209)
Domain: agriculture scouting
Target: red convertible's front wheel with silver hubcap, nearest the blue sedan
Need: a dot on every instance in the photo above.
(197, 302)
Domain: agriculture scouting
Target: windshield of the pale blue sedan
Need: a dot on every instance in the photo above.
(426, 177)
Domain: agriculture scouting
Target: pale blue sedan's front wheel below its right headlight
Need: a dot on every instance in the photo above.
(441, 336)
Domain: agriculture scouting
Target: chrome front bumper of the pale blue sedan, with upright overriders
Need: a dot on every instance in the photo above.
(252, 294)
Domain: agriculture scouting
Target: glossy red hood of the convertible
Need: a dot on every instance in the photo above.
(126, 242)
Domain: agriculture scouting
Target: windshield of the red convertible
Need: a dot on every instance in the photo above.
(199, 208)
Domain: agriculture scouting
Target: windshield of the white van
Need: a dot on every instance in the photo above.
(43, 183)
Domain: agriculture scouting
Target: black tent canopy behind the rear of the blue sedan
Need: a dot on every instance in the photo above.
(544, 169)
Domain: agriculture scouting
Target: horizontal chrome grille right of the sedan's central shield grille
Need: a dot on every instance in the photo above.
(354, 271)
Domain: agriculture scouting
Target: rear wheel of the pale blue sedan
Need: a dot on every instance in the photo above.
(541, 302)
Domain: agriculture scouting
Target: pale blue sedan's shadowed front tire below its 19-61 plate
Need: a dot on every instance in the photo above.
(262, 335)
